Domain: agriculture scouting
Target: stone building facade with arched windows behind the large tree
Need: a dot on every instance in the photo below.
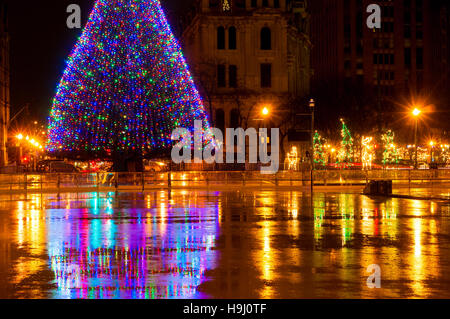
(247, 56)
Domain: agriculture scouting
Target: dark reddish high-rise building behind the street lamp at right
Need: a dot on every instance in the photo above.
(369, 73)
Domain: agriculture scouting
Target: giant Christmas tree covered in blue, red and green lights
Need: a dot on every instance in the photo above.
(126, 86)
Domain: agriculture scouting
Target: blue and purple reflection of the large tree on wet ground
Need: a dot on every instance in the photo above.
(114, 257)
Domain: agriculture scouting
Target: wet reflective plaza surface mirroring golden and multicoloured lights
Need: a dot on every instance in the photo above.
(232, 244)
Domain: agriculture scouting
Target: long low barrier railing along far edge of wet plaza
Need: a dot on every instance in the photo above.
(86, 182)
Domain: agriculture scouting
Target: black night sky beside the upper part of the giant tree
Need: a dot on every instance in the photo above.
(40, 44)
